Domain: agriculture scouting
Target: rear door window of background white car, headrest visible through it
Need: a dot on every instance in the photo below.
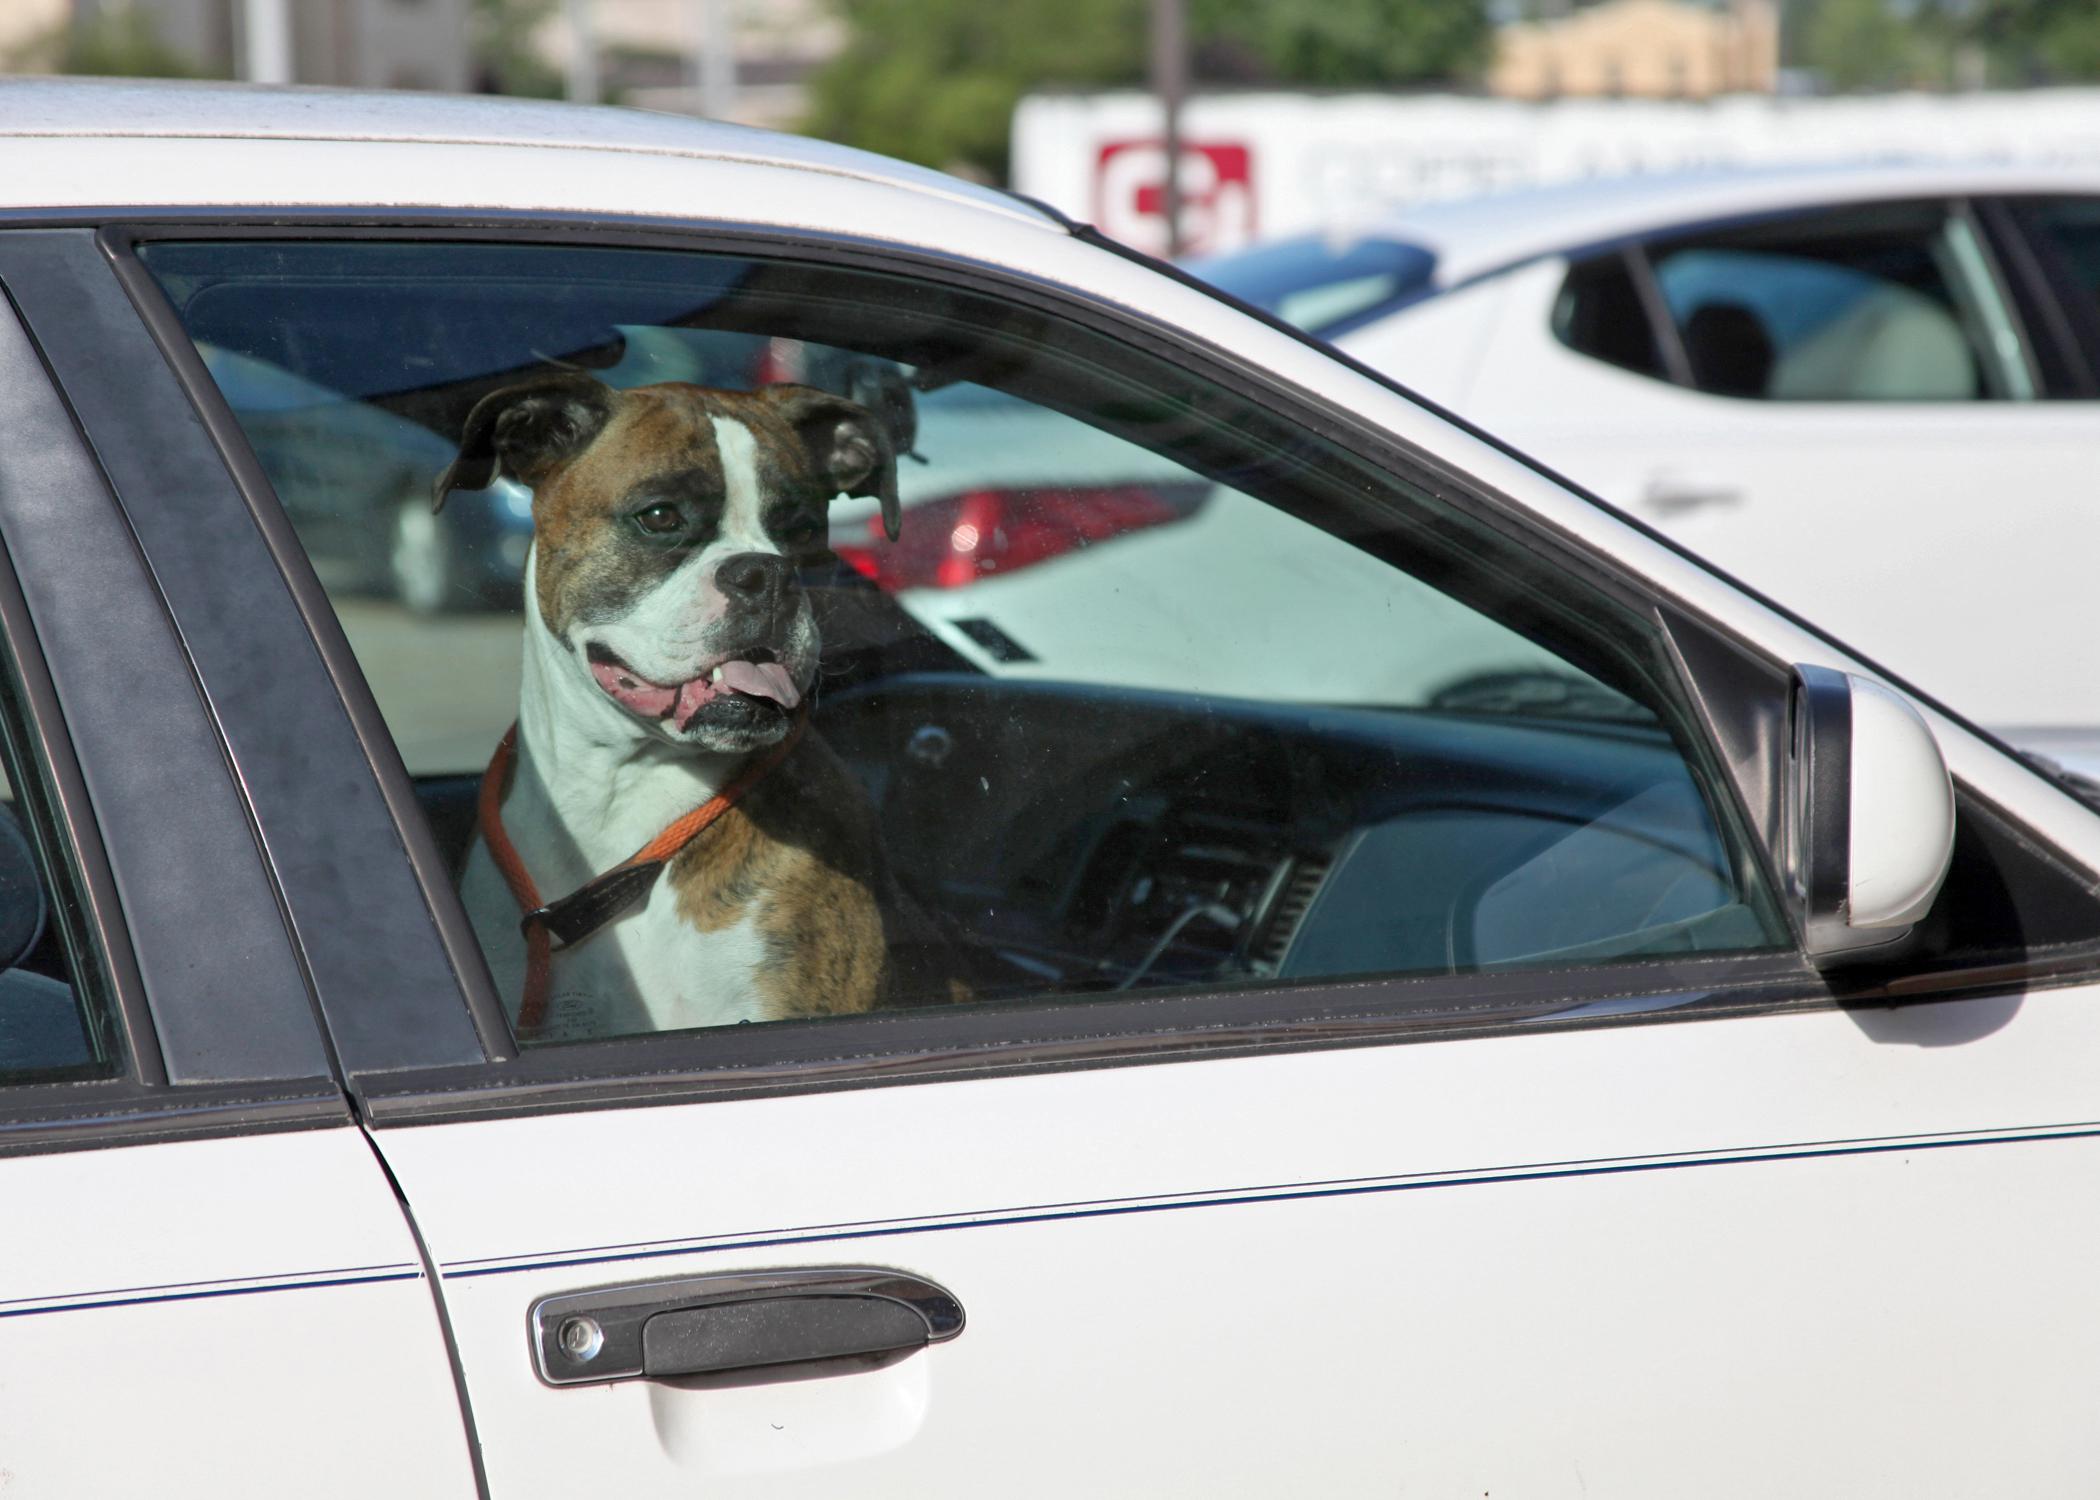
(1862, 306)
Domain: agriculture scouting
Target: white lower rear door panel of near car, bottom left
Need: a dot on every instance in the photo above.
(253, 1341)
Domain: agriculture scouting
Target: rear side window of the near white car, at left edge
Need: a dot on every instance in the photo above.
(56, 1020)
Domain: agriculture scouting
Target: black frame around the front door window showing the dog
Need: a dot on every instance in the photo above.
(411, 1079)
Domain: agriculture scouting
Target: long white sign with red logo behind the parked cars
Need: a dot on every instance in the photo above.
(1257, 167)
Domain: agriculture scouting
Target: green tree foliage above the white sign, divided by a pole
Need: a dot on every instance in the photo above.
(938, 81)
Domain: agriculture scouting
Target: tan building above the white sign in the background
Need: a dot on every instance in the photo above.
(1641, 49)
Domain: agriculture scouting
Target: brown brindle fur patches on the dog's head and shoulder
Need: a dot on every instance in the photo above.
(799, 856)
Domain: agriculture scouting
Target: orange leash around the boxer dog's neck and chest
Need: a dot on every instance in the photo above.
(597, 902)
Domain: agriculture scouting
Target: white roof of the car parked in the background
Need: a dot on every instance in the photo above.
(1473, 236)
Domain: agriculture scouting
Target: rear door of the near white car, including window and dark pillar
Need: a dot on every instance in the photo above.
(207, 1285)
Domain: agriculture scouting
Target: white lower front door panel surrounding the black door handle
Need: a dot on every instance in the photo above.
(1626, 1262)
